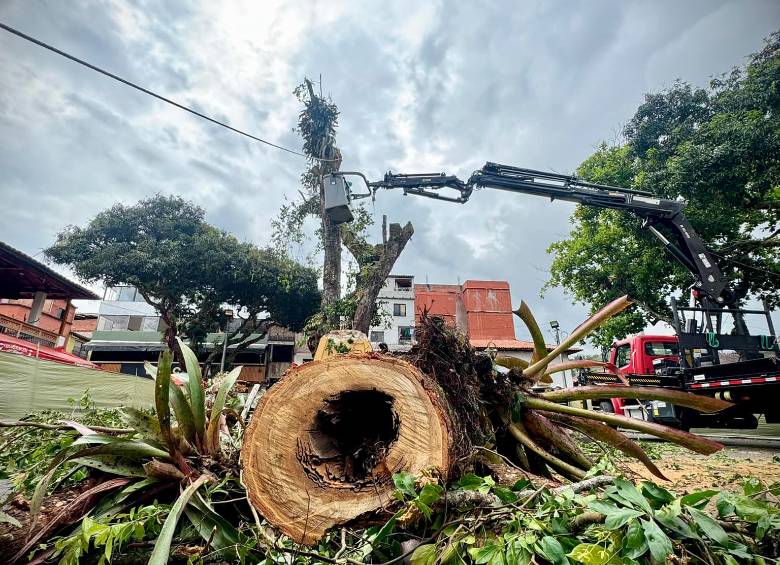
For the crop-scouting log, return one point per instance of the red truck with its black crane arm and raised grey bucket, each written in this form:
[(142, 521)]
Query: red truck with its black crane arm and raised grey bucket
[(713, 324)]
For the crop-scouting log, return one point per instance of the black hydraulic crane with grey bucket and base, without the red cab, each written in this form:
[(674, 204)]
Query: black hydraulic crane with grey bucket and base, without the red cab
[(666, 220)]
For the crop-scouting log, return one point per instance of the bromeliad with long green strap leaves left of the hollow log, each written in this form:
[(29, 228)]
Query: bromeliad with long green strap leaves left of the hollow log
[(179, 448)]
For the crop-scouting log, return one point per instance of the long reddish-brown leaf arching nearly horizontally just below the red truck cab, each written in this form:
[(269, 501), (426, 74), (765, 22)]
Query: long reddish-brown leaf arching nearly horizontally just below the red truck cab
[(706, 404)]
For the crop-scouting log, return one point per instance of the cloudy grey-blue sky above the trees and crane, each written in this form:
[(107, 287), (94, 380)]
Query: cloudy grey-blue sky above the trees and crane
[(422, 87)]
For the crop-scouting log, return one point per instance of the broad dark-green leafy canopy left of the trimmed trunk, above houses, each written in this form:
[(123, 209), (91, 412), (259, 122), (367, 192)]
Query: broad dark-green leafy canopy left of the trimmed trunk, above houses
[(188, 270)]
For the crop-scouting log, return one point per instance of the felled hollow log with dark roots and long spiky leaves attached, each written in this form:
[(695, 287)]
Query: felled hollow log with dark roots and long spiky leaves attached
[(324, 443)]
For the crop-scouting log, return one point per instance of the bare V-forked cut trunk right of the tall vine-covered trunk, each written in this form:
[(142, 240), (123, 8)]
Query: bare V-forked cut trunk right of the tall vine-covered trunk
[(375, 262)]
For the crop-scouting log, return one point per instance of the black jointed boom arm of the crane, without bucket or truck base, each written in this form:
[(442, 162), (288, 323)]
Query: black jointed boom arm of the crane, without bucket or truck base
[(689, 249)]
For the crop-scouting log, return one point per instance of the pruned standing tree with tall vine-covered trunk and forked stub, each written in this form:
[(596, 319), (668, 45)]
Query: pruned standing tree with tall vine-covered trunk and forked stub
[(317, 125)]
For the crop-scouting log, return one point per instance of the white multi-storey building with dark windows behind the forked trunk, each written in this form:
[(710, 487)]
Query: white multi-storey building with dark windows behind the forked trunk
[(396, 307)]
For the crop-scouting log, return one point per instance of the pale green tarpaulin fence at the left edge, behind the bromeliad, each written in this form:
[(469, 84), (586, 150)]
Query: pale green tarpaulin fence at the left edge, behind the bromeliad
[(30, 385)]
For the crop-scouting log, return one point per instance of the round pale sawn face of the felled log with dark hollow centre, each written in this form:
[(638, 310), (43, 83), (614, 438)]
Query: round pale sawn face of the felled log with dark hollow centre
[(324, 442)]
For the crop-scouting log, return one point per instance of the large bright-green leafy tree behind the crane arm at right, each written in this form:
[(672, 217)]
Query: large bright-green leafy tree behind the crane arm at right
[(718, 148)]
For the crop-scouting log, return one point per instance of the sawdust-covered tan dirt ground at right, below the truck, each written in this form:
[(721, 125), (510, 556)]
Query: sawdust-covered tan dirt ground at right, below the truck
[(725, 470)]
